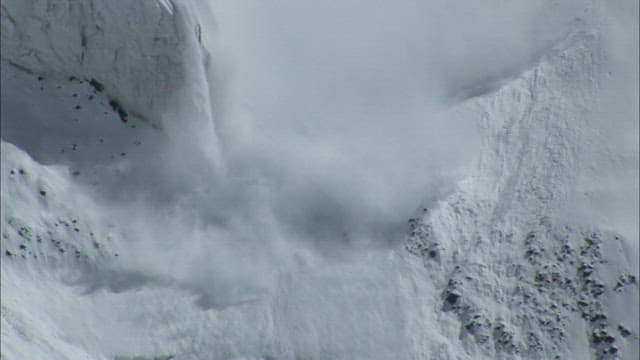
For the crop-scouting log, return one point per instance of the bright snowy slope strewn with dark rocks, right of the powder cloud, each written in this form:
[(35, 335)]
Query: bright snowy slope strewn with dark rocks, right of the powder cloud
[(523, 278)]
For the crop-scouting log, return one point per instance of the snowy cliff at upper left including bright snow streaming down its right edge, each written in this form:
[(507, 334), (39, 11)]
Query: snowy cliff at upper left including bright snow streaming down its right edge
[(148, 56)]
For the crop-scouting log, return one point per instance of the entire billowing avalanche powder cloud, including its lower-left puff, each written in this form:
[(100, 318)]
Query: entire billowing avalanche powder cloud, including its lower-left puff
[(336, 122)]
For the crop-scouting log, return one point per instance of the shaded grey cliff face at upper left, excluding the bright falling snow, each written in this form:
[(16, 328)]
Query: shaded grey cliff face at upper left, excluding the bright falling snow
[(135, 50)]
